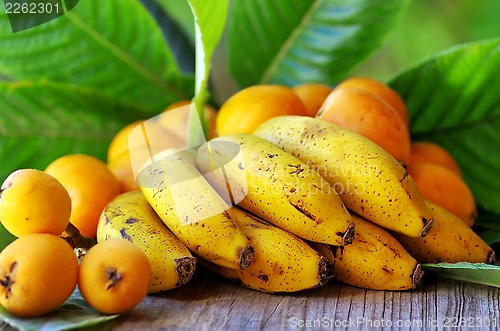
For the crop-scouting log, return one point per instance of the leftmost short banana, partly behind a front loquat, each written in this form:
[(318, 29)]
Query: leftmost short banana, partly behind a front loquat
[(129, 216)]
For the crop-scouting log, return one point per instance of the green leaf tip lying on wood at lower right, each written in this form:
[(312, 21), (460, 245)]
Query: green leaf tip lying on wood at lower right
[(480, 273)]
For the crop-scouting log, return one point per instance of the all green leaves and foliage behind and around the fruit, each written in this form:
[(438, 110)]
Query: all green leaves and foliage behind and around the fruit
[(69, 85)]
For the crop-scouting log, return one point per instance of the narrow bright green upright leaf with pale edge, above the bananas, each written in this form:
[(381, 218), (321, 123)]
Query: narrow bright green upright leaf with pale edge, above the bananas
[(210, 19)]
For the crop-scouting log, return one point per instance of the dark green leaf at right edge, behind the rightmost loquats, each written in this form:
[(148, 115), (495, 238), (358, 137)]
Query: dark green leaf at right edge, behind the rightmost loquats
[(452, 99)]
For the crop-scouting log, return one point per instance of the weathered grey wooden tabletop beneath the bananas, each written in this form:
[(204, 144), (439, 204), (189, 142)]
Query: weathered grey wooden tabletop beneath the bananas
[(212, 303)]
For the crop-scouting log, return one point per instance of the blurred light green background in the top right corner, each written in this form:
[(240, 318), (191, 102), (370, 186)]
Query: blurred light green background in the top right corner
[(429, 26)]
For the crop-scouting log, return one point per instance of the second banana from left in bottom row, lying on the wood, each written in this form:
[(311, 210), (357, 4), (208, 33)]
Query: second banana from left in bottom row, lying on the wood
[(282, 261)]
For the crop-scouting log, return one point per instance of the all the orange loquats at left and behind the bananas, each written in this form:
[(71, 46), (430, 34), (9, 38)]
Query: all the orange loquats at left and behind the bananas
[(56, 211)]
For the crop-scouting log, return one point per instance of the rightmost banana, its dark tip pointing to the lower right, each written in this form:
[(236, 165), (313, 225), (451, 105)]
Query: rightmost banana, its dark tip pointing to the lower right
[(449, 240)]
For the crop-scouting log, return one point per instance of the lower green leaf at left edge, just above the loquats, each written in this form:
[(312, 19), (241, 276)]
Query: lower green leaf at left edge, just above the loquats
[(42, 121)]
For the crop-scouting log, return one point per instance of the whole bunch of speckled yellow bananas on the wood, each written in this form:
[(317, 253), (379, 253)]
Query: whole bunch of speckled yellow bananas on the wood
[(297, 203)]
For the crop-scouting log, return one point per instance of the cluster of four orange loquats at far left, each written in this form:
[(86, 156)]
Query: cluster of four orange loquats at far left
[(47, 210)]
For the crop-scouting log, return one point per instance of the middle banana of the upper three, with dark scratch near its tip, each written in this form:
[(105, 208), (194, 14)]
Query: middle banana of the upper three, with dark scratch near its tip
[(275, 185)]
